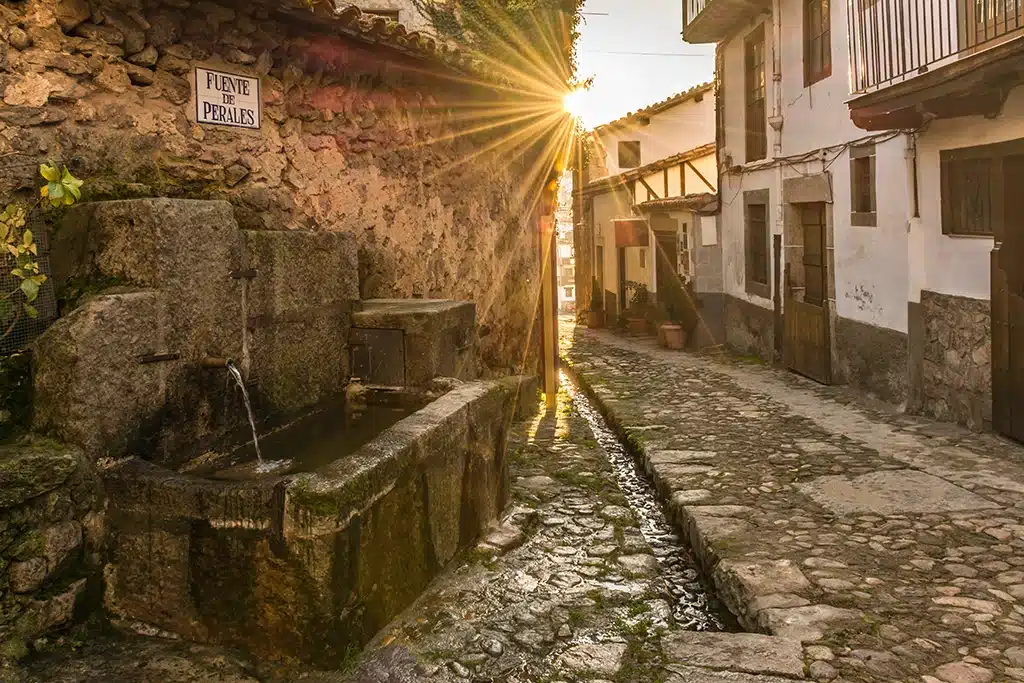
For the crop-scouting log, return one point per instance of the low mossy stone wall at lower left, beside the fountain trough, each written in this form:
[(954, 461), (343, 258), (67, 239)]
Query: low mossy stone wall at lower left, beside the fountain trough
[(52, 529)]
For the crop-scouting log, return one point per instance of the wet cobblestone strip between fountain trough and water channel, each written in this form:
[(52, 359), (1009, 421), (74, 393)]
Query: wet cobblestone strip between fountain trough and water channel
[(568, 589)]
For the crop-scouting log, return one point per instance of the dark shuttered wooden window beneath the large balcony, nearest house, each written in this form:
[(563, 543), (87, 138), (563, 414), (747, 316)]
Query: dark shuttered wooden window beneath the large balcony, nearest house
[(967, 196)]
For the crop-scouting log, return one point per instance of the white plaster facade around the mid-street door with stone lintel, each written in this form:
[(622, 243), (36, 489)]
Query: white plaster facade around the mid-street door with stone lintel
[(872, 264)]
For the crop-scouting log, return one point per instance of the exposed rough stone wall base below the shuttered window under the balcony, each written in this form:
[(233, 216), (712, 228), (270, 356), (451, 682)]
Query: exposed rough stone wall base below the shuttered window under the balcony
[(957, 360)]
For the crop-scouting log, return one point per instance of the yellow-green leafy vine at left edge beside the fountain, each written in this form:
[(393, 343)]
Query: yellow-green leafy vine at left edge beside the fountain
[(61, 189)]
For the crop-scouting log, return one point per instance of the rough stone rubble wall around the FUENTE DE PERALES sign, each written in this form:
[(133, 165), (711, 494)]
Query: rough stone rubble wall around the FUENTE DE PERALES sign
[(356, 139)]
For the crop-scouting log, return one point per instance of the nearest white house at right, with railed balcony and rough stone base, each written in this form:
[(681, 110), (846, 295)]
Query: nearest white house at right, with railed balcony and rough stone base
[(952, 71)]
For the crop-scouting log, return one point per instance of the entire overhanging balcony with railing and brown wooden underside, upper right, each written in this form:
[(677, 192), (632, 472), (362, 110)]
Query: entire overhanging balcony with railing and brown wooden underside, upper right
[(916, 60)]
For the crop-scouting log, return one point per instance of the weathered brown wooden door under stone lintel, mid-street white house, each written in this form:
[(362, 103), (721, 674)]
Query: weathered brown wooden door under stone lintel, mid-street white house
[(807, 348)]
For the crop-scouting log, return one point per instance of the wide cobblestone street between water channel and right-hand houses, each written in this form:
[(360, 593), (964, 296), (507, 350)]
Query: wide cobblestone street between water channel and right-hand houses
[(892, 547)]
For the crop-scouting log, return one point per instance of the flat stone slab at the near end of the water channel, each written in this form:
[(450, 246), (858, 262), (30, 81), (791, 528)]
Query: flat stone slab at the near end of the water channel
[(747, 653)]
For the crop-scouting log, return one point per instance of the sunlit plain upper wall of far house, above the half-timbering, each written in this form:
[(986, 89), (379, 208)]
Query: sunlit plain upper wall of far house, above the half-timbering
[(681, 129)]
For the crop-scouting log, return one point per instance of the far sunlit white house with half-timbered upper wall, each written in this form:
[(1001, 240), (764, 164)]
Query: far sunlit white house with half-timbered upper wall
[(652, 177)]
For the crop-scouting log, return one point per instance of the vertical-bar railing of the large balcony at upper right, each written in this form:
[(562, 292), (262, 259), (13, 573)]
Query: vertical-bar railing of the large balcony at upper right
[(894, 40)]
